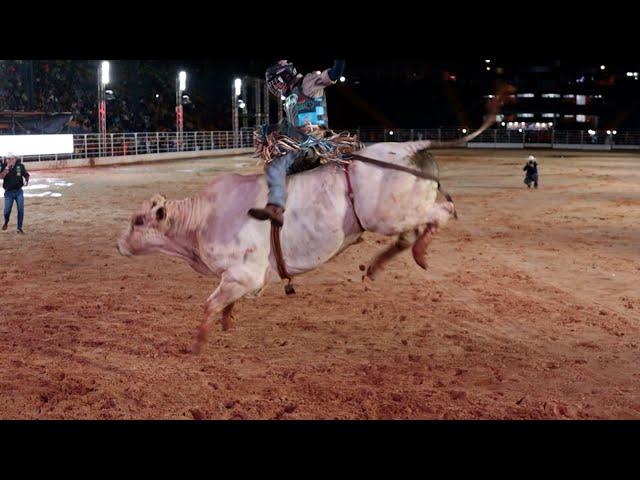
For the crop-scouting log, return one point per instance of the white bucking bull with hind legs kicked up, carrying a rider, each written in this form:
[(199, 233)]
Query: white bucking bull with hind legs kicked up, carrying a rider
[(214, 234)]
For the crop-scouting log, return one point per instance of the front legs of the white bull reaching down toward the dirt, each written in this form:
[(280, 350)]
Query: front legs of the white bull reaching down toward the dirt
[(233, 286)]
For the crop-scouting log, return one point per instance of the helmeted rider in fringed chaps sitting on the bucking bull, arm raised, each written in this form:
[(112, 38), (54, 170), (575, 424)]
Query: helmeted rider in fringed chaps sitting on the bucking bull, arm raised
[(302, 140)]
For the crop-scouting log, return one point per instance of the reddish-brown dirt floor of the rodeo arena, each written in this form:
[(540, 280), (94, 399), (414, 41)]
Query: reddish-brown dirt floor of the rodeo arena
[(530, 308)]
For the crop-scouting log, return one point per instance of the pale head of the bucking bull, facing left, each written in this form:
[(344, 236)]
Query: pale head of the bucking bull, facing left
[(147, 229)]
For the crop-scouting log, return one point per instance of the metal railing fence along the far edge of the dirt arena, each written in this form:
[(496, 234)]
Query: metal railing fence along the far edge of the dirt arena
[(118, 144)]
